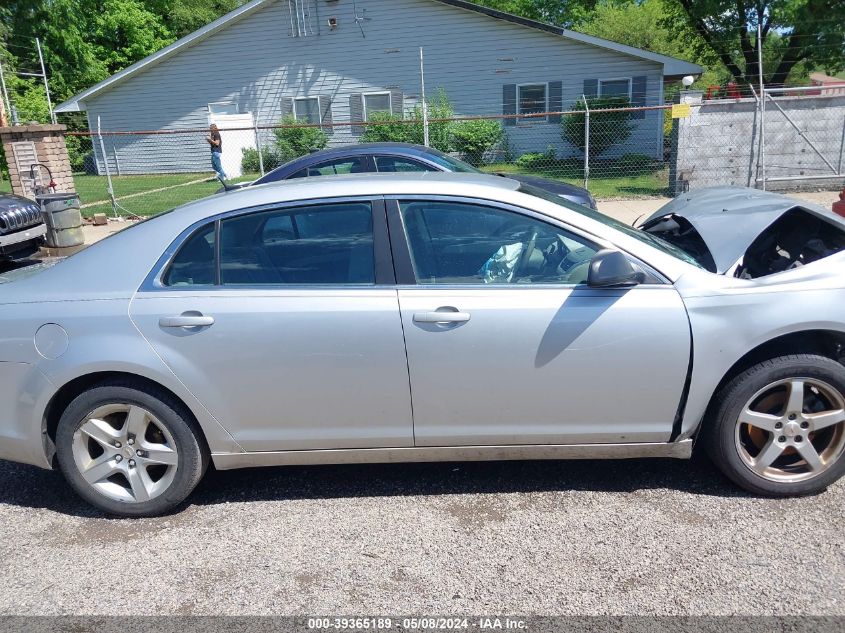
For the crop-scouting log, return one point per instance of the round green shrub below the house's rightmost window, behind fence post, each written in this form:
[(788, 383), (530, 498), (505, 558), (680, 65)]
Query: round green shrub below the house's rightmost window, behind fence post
[(606, 128)]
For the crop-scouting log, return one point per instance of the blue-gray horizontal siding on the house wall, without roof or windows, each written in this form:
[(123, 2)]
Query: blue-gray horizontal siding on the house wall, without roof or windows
[(255, 62)]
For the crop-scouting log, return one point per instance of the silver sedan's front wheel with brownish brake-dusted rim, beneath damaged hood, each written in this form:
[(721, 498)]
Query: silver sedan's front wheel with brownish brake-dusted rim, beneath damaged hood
[(792, 452)]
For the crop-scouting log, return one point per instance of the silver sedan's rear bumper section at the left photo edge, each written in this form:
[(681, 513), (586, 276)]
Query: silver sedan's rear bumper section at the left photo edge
[(23, 390)]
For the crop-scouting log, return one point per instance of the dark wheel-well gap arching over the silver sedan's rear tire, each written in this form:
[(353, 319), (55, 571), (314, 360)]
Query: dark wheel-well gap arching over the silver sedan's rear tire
[(64, 396)]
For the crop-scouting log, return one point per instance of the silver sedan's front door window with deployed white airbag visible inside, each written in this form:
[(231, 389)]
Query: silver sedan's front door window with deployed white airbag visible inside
[(461, 243)]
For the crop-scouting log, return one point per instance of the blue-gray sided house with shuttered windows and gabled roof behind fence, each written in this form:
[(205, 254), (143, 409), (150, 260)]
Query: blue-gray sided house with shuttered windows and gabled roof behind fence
[(337, 61)]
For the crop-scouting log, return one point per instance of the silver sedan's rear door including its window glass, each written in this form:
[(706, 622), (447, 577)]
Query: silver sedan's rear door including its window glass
[(284, 322)]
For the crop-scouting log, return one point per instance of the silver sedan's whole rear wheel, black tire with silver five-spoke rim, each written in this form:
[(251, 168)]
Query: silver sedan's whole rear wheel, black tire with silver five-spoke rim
[(131, 451)]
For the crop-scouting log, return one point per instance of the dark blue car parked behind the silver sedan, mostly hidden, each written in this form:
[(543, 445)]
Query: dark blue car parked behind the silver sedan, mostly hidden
[(402, 157)]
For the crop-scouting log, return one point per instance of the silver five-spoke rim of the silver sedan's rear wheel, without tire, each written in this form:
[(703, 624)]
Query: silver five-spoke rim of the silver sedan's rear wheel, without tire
[(125, 453)]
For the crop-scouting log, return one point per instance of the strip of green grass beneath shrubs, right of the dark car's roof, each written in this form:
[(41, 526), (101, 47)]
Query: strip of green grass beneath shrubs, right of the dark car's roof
[(649, 183)]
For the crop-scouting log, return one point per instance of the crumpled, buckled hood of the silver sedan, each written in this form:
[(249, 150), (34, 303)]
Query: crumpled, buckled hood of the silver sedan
[(764, 232)]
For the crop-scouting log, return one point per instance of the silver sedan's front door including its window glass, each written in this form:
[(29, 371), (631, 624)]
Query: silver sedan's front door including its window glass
[(506, 343)]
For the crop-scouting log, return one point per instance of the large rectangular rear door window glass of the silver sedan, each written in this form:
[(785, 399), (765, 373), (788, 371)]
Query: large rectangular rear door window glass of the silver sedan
[(321, 244)]
